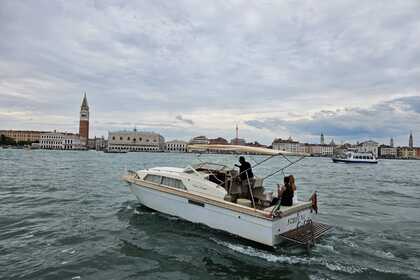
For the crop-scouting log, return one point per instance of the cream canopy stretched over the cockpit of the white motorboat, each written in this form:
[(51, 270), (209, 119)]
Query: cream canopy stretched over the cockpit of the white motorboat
[(241, 150)]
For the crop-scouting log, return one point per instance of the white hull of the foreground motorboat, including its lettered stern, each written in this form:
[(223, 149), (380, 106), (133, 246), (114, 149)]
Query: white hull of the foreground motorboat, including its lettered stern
[(258, 229)]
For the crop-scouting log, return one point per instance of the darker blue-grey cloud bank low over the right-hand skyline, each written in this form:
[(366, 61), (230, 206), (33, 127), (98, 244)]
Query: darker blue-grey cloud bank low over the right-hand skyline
[(383, 120)]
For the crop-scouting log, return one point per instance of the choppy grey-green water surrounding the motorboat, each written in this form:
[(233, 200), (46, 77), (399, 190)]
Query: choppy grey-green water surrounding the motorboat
[(68, 215)]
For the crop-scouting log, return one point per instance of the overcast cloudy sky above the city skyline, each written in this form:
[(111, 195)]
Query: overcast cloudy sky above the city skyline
[(278, 69)]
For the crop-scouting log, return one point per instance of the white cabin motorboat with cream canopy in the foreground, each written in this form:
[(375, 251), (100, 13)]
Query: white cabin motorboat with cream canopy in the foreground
[(203, 193)]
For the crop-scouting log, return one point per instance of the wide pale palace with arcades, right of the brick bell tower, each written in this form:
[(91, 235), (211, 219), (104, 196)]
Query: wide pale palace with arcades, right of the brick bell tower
[(135, 141)]
